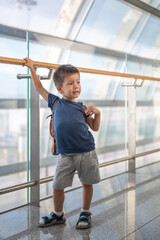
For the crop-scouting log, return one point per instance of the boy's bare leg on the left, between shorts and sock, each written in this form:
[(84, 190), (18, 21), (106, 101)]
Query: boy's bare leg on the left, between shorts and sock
[(58, 200)]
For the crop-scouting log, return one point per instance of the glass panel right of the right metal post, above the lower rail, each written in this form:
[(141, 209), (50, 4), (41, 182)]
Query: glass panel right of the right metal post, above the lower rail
[(147, 113)]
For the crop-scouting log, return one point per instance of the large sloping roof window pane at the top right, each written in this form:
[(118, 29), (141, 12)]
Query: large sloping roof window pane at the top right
[(129, 30)]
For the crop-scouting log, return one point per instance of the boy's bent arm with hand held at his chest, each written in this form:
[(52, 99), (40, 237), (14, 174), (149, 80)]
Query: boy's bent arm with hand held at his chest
[(93, 122)]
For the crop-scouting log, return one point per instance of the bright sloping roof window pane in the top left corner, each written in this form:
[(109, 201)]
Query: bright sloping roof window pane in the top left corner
[(29, 14)]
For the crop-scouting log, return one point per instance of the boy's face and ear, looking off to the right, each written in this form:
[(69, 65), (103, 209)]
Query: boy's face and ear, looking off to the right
[(71, 87)]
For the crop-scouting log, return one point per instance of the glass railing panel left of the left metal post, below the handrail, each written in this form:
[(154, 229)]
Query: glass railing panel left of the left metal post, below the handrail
[(13, 134)]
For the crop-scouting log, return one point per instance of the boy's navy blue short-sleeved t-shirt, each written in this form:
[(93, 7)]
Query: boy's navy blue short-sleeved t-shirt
[(71, 131)]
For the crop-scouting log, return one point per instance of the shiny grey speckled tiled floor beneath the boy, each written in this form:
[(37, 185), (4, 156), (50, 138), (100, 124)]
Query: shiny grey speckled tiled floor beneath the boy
[(126, 206)]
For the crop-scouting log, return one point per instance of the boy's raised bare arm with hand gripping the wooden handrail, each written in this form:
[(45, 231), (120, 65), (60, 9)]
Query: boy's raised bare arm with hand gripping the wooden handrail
[(36, 82)]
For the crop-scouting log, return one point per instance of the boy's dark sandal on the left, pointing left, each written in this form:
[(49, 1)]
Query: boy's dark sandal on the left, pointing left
[(52, 219)]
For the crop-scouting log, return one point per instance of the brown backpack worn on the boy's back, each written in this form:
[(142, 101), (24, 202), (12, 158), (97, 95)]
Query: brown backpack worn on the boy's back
[(51, 129)]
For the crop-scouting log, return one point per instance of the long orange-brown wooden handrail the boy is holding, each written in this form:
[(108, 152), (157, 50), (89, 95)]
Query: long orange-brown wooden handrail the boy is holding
[(86, 70)]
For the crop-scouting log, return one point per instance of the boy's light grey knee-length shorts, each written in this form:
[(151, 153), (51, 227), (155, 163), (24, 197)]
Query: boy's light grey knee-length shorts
[(86, 165)]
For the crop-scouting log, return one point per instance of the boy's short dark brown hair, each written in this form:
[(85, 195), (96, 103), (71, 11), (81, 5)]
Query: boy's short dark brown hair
[(62, 72)]
